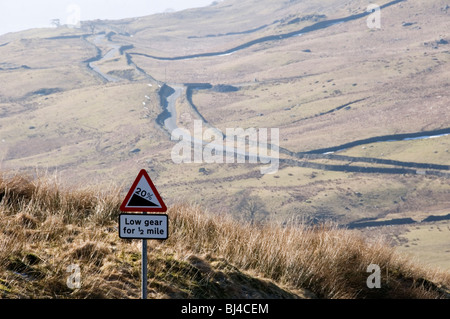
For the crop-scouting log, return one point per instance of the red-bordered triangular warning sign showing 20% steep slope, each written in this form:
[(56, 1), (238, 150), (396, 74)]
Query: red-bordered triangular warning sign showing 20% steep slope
[(143, 196)]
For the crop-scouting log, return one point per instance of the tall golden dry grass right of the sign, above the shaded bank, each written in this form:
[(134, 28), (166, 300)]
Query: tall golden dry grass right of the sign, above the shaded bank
[(329, 261)]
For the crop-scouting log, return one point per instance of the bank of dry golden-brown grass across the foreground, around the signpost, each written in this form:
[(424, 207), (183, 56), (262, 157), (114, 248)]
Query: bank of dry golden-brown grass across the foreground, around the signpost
[(45, 229)]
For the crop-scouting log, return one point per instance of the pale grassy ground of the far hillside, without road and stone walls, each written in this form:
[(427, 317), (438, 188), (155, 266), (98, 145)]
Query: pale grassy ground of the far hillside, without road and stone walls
[(86, 131)]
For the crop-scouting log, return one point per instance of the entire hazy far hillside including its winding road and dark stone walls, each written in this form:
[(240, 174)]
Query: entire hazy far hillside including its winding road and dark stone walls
[(363, 114)]
